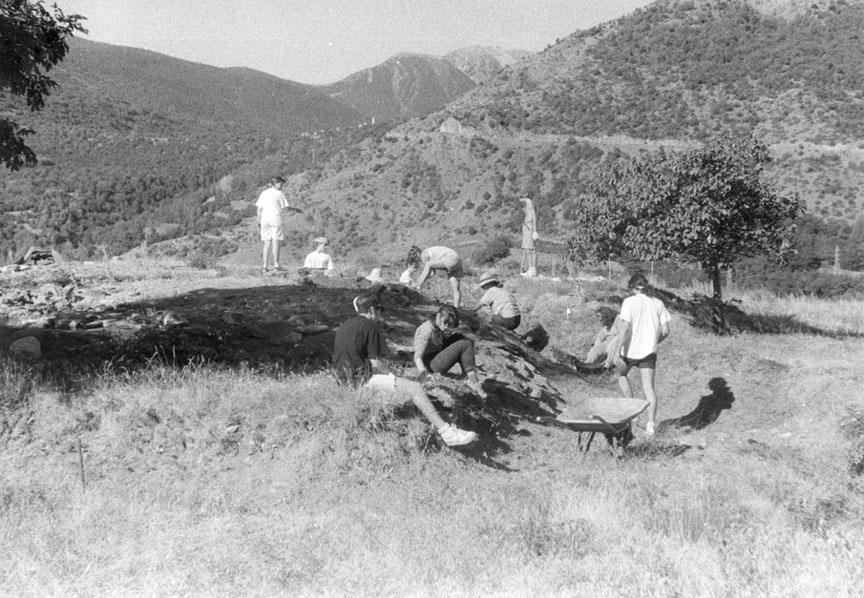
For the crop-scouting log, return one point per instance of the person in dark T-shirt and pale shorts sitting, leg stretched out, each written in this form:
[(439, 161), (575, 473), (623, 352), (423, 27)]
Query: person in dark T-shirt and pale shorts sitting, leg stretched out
[(360, 355)]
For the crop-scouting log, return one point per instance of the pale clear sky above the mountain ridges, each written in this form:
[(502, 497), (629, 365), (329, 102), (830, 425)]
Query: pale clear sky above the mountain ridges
[(323, 41)]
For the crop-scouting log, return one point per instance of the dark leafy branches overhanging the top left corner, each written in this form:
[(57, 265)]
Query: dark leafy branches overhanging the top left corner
[(32, 41)]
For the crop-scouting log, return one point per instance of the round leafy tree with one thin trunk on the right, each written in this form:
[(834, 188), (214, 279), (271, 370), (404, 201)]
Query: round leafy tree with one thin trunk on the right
[(710, 206)]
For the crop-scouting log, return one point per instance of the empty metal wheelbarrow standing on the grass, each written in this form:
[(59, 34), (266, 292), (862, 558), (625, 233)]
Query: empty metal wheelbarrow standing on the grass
[(609, 416)]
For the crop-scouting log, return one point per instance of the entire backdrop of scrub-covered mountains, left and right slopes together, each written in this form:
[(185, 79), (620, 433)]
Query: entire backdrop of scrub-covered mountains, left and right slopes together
[(136, 141)]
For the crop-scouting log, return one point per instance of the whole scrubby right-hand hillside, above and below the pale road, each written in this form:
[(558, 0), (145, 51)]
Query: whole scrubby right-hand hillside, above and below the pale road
[(671, 75)]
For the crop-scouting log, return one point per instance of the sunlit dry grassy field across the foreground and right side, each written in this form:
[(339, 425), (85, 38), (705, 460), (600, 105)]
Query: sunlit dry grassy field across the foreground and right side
[(213, 481)]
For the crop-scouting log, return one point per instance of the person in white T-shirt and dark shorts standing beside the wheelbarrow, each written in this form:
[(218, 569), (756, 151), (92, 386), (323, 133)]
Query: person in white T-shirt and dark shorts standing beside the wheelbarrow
[(642, 325)]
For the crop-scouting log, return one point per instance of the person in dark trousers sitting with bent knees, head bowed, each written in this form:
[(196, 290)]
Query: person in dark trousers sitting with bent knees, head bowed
[(435, 351)]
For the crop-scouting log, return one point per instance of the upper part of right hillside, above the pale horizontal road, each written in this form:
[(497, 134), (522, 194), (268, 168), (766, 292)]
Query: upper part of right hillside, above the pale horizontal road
[(689, 69)]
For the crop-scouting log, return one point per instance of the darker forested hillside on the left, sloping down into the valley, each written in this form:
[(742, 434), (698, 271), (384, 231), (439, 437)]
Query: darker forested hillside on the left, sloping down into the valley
[(133, 144)]
